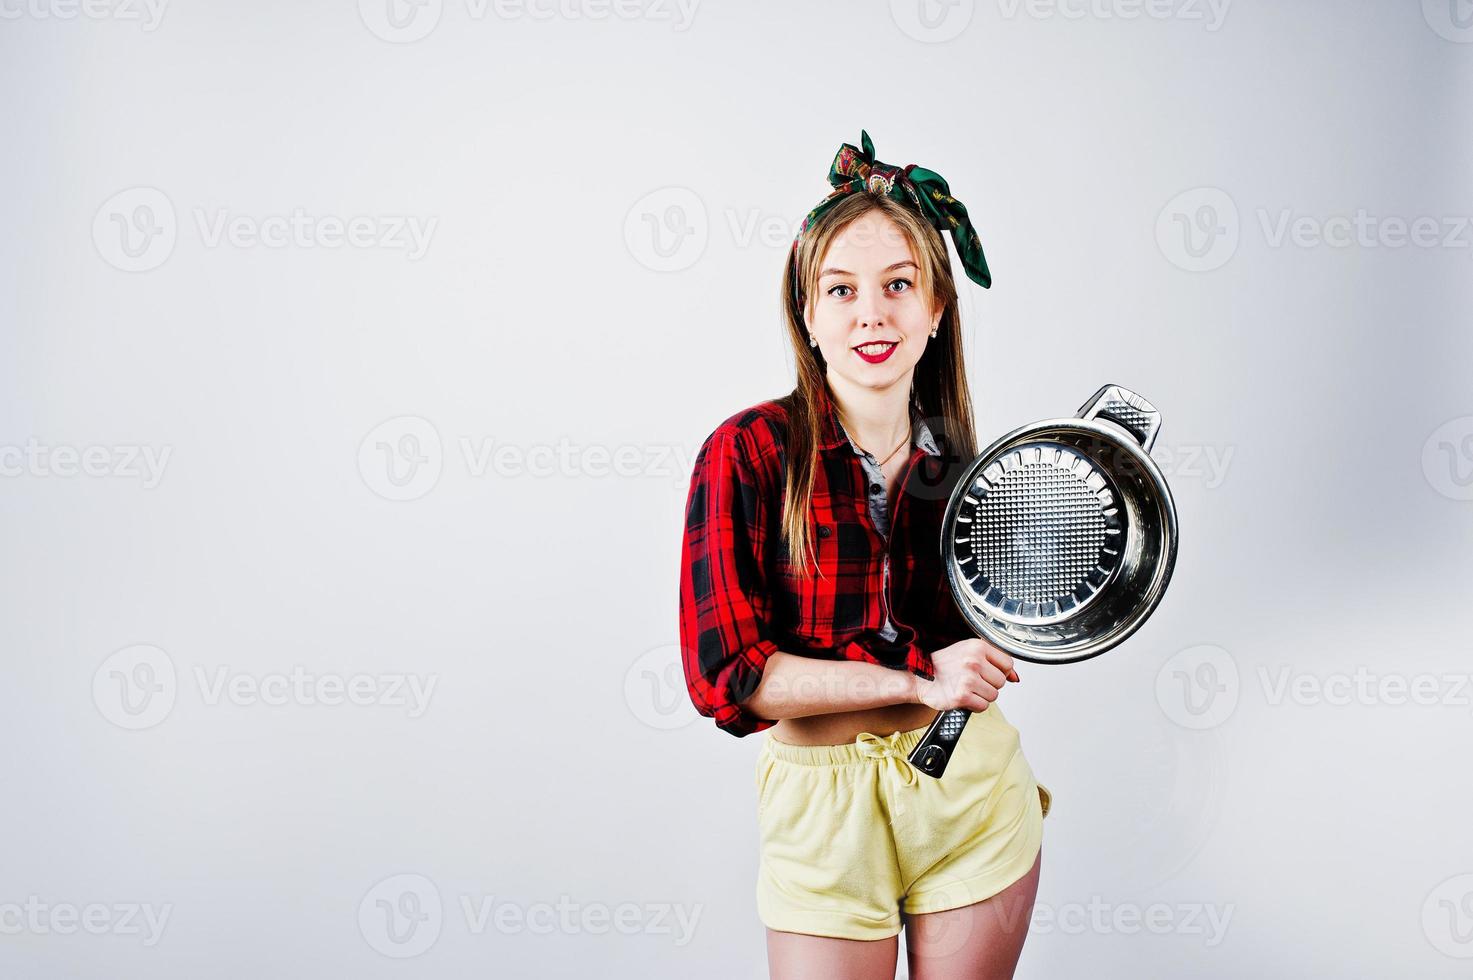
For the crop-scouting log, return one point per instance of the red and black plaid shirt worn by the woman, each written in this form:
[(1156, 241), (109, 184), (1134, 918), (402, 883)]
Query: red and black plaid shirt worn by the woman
[(742, 599)]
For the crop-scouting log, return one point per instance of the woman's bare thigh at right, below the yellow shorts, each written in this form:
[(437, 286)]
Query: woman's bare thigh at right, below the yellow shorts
[(976, 942)]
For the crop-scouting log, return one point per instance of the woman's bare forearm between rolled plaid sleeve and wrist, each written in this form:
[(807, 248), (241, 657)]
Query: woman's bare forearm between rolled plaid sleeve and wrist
[(793, 687)]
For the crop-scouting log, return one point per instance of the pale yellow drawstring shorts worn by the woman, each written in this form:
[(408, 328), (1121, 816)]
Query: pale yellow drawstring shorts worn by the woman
[(854, 835)]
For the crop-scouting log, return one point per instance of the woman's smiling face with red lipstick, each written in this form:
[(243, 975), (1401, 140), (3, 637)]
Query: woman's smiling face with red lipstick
[(870, 319)]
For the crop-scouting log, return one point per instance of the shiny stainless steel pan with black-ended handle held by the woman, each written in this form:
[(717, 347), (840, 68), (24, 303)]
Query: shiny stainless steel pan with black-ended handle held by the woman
[(1058, 542)]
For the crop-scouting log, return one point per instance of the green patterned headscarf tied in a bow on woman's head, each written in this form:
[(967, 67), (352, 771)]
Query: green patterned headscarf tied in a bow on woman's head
[(926, 191)]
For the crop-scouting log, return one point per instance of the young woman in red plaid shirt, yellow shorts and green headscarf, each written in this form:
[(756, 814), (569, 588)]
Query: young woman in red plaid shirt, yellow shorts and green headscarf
[(814, 603)]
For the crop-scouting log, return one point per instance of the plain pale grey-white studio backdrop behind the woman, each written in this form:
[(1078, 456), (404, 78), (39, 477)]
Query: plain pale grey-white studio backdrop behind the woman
[(393, 463)]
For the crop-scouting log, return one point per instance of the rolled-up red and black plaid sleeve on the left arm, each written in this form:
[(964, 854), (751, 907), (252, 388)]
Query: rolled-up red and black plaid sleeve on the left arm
[(725, 603)]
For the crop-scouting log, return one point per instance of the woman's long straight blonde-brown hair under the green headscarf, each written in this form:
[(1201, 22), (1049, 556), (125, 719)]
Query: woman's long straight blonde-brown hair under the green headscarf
[(941, 375)]
